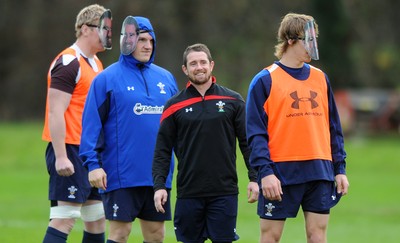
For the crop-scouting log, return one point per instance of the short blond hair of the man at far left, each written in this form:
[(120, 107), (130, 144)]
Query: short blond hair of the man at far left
[(88, 15)]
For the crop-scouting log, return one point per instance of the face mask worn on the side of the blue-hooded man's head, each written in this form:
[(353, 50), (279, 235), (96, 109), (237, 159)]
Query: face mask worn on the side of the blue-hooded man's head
[(129, 35)]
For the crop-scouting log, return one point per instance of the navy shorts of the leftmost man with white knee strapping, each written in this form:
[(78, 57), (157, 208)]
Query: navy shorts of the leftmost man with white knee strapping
[(75, 188)]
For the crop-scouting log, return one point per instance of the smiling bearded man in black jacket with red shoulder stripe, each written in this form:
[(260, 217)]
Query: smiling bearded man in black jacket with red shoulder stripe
[(201, 124)]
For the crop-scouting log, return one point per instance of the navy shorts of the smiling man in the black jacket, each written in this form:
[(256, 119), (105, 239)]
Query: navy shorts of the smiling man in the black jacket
[(198, 219)]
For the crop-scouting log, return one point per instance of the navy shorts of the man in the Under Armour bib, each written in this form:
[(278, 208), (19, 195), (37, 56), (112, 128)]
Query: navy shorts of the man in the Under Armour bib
[(315, 196)]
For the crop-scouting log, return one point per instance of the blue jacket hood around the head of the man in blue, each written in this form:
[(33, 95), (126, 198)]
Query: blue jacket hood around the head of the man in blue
[(144, 26)]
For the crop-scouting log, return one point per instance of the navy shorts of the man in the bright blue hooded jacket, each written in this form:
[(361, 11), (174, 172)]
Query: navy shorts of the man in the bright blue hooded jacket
[(127, 204)]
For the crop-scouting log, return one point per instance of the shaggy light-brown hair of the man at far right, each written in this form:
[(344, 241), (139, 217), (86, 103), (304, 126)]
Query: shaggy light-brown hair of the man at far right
[(291, 28)]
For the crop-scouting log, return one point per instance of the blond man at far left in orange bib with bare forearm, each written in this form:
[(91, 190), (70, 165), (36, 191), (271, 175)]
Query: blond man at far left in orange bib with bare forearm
[(69, 79)]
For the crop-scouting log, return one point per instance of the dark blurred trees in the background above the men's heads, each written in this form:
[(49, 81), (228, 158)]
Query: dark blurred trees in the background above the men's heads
[(358, 44)]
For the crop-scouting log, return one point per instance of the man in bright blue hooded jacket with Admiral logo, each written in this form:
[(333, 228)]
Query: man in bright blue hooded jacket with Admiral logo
[(120, 124)]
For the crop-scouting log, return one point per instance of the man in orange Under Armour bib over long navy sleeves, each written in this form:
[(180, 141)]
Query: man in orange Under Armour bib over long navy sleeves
[(294, 131)]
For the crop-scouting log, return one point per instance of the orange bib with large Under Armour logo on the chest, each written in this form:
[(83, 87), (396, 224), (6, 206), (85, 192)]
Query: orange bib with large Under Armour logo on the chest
[(298, 116)]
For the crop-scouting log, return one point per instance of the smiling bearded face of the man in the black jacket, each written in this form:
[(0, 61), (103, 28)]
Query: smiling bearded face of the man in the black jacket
[(198, 68)]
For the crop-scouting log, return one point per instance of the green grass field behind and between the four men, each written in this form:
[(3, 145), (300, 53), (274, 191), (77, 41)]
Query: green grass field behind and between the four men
[(370, 213)]
